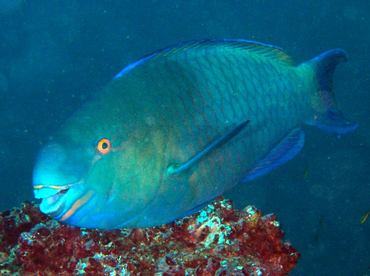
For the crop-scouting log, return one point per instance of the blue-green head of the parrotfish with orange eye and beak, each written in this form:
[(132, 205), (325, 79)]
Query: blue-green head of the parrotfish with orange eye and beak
[(100, 176)]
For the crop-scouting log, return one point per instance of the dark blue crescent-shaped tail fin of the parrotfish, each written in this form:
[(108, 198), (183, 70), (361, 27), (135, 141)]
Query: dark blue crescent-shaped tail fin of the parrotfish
[(328, 117)]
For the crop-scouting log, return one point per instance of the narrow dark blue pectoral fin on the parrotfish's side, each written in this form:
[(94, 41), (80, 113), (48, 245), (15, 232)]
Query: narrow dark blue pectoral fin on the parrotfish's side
[(177, 168)]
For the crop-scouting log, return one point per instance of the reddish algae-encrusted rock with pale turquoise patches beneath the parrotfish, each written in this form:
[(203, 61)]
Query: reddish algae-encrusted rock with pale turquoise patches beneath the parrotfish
[(217, 240)]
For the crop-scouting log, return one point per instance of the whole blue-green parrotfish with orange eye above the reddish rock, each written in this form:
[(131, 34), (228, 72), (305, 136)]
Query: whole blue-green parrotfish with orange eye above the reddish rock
[(179, 127)]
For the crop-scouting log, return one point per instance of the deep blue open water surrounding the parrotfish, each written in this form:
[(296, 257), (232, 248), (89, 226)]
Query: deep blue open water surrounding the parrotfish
[(55, 54)]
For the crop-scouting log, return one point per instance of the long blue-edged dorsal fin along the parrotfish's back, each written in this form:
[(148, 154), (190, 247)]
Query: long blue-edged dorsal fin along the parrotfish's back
[(260, 49)]
